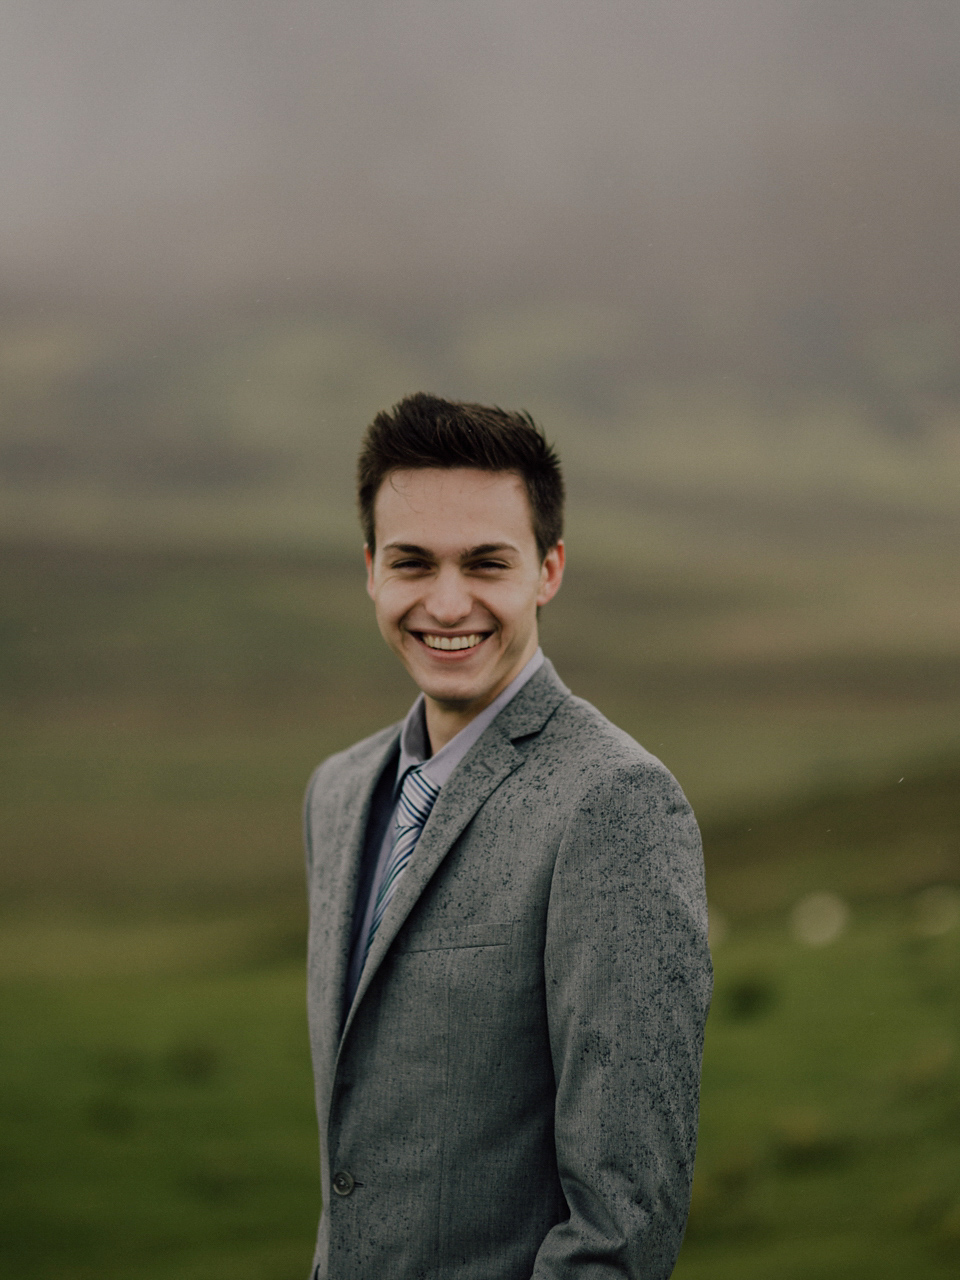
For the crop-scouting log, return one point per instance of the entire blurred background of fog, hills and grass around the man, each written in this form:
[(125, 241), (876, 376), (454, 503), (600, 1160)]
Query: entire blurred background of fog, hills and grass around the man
[(714, 249)]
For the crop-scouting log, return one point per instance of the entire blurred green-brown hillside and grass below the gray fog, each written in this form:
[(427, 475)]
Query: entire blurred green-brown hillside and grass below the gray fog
[(762, 589)]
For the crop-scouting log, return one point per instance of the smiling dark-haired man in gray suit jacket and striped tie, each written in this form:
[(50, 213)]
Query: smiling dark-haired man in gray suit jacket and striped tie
[(508, 970)]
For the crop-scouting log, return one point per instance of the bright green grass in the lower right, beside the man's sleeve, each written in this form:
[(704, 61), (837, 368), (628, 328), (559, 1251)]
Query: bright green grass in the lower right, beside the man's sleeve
[(830, 1117)]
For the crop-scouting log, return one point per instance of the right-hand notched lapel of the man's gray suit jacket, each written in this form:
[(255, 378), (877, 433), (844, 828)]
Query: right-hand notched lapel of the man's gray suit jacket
[(492, 760)]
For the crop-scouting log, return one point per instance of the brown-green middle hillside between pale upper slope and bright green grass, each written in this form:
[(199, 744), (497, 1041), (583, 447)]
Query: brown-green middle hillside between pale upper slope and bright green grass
[(164, 708)]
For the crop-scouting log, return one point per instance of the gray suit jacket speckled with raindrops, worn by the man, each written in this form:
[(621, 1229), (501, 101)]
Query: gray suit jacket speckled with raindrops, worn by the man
[(514, 1092)]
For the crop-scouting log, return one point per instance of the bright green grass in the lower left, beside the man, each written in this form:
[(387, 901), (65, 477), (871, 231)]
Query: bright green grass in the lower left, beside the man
[(158, 1127)]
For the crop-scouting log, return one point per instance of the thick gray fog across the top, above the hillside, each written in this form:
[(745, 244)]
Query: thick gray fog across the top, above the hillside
[(744, 176)]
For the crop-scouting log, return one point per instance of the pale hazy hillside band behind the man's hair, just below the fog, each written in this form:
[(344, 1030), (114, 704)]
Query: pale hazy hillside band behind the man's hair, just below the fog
[(245, 431)]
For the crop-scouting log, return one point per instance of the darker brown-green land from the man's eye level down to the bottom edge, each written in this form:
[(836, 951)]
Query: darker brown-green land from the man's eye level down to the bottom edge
[(162, 715)]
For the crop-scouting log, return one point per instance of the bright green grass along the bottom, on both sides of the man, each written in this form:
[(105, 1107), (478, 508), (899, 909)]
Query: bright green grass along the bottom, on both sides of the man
[(158, 1110)]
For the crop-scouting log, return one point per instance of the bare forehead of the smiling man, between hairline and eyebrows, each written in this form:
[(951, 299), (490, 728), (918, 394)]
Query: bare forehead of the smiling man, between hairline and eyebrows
[(452, 508)]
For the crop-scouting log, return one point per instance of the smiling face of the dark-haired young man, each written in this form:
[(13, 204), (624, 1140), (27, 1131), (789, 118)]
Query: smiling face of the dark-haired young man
[(458, 579)]
